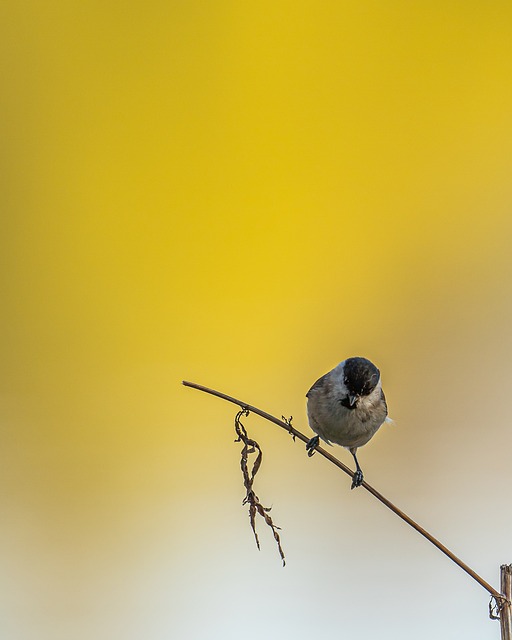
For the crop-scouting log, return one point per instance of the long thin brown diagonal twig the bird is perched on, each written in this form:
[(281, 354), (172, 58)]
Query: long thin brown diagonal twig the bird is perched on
[(297, 434)]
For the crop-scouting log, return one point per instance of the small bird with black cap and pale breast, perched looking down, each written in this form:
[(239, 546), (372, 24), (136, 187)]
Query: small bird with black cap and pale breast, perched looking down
[(347, 406)]
